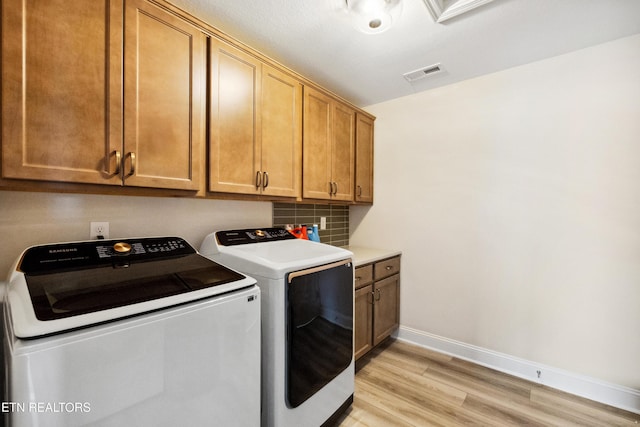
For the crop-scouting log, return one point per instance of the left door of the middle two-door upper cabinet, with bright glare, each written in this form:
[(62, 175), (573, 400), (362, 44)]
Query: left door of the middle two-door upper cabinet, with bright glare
[(234, 147)]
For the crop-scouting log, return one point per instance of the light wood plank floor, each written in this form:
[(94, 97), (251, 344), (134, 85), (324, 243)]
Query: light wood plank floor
[(399, 384)]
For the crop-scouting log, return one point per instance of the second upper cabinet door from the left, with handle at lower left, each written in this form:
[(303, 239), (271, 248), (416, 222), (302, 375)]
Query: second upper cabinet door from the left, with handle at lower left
[(164, 98)]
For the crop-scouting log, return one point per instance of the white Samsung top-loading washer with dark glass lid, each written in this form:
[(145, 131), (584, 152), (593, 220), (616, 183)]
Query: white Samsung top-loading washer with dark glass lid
[(142, 332)]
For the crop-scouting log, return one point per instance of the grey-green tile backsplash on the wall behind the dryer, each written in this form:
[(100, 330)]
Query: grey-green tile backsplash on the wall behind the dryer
[(337, 232)]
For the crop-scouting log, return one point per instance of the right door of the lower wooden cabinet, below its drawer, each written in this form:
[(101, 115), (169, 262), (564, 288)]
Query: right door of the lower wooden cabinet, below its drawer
[(386, 307)]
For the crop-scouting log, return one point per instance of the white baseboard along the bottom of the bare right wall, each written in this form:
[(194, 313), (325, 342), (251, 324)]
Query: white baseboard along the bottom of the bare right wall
[(579, 385)]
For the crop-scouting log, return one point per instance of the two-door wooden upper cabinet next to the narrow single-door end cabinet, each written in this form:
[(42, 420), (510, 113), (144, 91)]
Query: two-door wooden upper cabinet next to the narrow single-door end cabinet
[(328, 149)]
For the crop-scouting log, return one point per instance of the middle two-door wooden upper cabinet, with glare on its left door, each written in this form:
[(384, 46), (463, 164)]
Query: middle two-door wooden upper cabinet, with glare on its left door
[(255, 125)]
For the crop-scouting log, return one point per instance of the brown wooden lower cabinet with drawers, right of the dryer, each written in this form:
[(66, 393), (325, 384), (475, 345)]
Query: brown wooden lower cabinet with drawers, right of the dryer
[(377, 303)]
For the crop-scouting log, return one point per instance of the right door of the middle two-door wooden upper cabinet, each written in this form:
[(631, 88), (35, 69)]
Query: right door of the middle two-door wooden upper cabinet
[(281, 116)]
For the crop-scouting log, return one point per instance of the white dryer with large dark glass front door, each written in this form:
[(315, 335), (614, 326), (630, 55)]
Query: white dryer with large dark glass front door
[(307, 321)]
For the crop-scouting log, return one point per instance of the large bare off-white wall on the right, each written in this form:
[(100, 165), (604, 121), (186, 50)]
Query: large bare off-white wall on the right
[(515, 198)]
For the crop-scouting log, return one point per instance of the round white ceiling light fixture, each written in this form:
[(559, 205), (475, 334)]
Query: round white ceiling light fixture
[(373, 16)]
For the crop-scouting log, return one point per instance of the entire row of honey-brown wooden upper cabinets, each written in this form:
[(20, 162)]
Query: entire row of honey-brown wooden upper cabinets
[(115, 92)]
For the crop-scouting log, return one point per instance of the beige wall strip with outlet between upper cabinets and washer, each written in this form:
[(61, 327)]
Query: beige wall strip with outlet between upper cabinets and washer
[(34, 218)]
